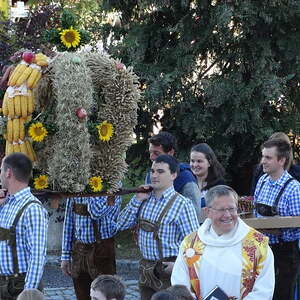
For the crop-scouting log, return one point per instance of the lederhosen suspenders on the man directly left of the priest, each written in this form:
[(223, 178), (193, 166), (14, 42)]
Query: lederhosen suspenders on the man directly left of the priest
[(154, 227)]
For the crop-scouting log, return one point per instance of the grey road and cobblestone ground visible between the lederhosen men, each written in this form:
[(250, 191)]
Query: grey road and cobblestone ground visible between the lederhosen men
[(59, 287)]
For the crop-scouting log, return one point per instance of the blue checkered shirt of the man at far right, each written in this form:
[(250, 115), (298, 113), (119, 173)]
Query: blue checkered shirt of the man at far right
[(288, 205)]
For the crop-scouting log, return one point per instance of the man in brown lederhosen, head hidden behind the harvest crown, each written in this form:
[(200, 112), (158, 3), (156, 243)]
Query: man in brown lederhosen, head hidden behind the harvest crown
[(88, 241)]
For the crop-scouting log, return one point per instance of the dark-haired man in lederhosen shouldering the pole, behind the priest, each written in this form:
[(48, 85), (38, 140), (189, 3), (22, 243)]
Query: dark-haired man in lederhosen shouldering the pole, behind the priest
[(163, 218)]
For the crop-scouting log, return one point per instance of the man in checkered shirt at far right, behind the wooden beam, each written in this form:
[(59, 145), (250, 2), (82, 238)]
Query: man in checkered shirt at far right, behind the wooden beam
[(277, 189)]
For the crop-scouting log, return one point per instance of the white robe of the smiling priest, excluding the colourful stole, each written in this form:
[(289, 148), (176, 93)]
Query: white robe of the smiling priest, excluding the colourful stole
[(221, 264)]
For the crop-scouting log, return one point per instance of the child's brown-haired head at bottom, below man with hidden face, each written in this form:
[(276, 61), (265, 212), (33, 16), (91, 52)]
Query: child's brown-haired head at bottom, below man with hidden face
[(107, 287)]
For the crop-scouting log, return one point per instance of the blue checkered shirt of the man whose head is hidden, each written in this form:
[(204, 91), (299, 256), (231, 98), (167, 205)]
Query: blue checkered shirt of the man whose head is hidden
[(77, 227)]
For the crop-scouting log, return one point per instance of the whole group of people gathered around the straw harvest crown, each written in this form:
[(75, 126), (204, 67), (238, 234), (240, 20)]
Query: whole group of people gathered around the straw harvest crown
[(192, 242)]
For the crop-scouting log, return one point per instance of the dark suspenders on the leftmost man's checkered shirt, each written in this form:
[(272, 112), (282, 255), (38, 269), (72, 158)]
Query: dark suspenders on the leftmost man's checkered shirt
[(10, 235)]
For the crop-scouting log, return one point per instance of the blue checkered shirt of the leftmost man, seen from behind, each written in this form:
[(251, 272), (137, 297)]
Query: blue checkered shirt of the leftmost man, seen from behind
[(31, 237)]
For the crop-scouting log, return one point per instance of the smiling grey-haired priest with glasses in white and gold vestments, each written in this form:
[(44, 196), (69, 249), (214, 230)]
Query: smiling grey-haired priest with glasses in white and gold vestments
[(225, 256)]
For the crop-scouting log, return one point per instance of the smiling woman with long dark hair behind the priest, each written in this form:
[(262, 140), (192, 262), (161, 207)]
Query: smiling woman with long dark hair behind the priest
[(207, 169)]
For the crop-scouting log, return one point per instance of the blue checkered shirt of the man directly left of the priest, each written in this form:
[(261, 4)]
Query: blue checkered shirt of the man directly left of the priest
[(179, 221)]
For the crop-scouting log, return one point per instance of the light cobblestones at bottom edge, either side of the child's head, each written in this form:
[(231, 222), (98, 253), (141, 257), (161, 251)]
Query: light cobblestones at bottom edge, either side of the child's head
[(67, 293)]
